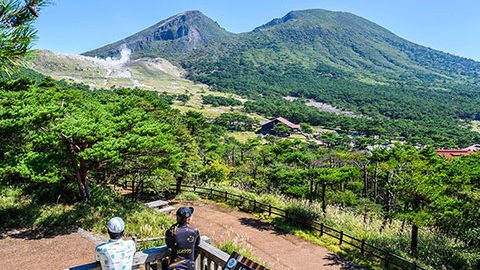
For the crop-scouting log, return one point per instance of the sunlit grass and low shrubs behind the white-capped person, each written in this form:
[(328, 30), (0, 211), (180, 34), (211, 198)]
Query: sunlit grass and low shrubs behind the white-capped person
[(19, 210)]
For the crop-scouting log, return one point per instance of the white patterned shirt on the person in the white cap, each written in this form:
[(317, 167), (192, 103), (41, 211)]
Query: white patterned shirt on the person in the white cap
[(115, 254)]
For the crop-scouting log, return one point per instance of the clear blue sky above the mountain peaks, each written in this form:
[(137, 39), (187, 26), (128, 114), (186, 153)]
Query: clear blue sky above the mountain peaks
[(75, 26)]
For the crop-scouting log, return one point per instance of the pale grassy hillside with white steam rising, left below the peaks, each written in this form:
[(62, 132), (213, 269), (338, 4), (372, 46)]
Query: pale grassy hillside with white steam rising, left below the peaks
[(152, 74)]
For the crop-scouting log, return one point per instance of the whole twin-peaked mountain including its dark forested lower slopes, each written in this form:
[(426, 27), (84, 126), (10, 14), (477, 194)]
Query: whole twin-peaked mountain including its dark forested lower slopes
[(332, 57)]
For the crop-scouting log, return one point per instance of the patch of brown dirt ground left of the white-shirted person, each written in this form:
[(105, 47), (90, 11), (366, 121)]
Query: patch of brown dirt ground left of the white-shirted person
[(43, 249)]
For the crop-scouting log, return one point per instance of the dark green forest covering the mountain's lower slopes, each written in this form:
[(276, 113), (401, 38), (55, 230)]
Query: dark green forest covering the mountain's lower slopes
[(406, 112)]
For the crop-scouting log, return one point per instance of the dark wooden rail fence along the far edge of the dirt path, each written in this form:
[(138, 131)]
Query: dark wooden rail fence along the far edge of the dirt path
[(389, 259)]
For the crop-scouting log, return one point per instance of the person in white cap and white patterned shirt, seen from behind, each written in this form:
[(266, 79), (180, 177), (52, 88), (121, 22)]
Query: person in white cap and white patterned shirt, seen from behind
[(116, 254)]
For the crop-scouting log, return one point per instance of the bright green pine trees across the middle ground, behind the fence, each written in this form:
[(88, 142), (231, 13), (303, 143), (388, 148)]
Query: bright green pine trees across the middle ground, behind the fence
[(68, 139)]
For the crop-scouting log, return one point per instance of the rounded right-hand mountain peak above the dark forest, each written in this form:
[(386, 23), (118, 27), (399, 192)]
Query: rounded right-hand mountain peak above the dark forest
[(350, 42)]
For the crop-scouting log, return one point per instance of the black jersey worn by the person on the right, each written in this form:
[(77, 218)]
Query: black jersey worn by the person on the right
[(183, 241)]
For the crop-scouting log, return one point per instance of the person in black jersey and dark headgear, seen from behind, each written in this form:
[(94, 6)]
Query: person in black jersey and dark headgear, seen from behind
[(183, 240)]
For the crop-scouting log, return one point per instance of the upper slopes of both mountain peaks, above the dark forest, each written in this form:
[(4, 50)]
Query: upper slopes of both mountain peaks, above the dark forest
[(317, 39)]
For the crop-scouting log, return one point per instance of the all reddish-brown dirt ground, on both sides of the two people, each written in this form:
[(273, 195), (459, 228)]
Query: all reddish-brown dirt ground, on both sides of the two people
[(47, 249)]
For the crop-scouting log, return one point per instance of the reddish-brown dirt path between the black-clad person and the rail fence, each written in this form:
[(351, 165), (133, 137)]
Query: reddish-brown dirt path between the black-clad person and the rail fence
[(278, 250)]
